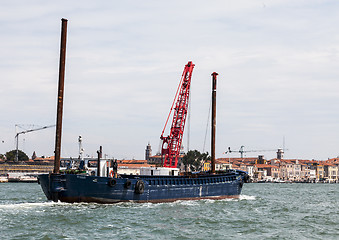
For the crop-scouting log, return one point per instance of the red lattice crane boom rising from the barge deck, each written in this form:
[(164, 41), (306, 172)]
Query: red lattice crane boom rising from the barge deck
[(171, 144)]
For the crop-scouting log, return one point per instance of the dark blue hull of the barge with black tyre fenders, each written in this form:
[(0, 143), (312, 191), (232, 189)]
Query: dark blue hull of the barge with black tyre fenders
[(134, 188)]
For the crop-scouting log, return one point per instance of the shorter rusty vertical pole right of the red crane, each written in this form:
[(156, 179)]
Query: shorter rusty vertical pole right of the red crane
[(214, 121)]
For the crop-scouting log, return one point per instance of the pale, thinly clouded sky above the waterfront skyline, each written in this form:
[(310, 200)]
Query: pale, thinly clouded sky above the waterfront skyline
[(277, 60)]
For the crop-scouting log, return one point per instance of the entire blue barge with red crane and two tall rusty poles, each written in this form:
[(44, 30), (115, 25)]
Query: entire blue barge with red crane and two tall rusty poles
[(104, 185)]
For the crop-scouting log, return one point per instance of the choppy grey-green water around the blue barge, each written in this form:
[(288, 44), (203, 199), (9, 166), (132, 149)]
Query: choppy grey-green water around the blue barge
[(264, 211)]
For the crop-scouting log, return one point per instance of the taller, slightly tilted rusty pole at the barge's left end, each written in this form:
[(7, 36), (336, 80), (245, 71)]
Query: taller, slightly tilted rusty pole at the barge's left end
[(60, 96)]
